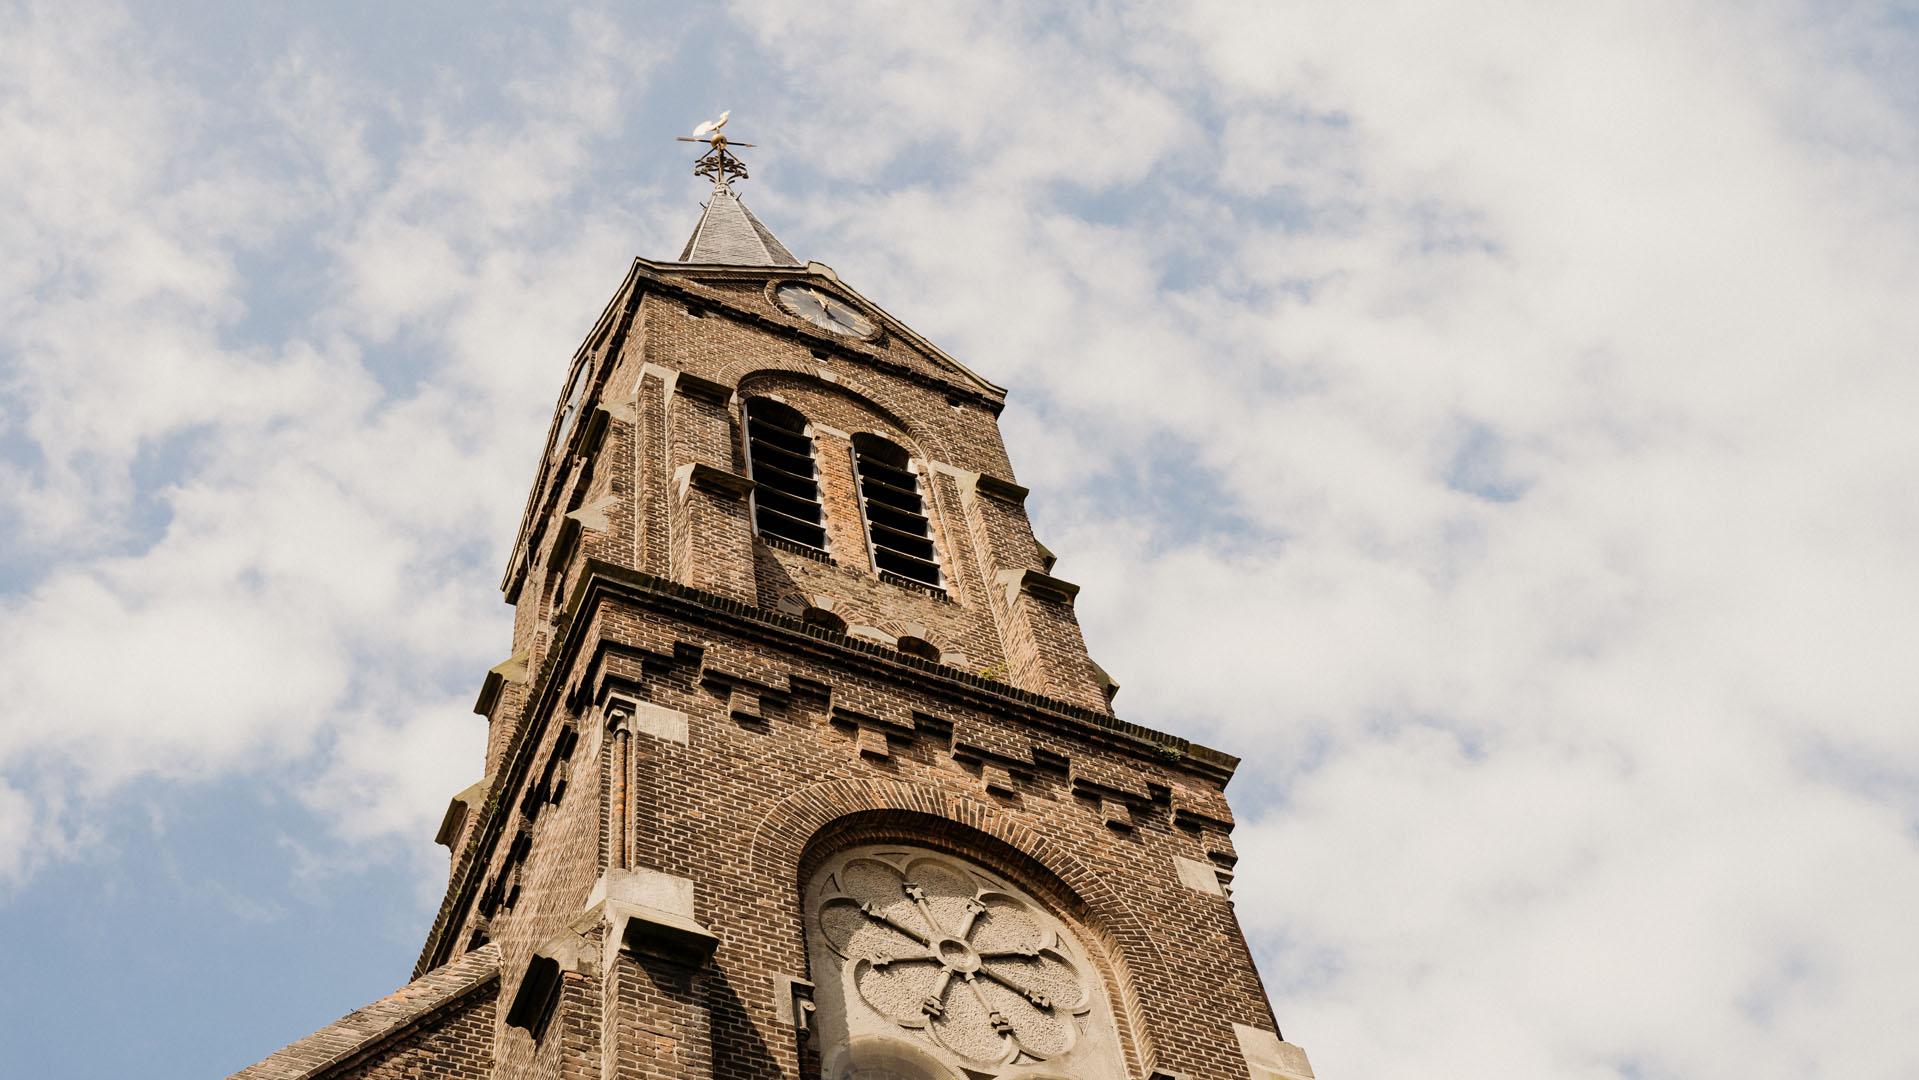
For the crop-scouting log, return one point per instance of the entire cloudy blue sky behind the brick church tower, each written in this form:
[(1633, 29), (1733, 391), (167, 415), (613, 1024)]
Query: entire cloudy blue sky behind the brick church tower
[(1494, 423)]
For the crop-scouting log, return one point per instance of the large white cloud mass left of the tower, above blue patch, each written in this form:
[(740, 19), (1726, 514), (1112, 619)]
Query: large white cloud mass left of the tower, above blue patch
[(316, 567)]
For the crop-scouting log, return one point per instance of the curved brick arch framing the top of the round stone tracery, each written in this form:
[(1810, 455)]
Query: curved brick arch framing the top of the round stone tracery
[(818, 820)]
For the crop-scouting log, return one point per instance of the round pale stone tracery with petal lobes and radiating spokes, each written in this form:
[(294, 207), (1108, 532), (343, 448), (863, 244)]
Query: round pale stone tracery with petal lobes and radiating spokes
[(943, 951)]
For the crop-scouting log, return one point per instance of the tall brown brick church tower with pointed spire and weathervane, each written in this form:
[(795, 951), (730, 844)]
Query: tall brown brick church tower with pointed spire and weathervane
[(799, 766)]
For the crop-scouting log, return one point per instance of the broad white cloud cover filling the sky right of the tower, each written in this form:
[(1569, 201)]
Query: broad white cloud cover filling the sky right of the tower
[(1559, 784)]
